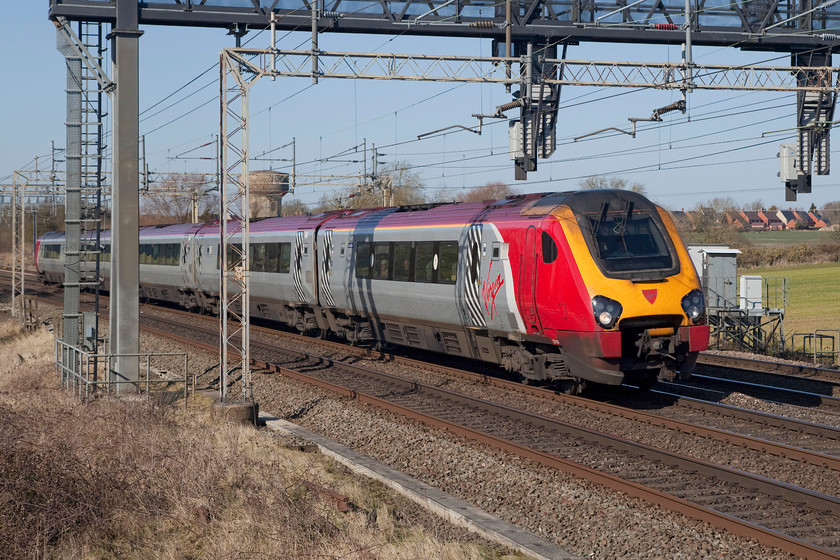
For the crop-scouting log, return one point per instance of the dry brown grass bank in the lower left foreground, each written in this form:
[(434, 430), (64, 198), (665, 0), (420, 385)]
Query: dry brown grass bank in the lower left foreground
[(139, 479)]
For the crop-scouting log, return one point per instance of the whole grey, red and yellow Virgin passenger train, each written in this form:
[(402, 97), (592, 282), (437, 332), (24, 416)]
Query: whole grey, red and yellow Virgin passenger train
[(565, 288)]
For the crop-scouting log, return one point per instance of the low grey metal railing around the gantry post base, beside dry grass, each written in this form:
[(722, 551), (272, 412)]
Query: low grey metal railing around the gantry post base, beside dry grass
[(89, 374)]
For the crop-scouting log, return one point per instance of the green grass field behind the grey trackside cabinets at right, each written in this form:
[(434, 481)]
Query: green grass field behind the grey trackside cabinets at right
[(814, 295)]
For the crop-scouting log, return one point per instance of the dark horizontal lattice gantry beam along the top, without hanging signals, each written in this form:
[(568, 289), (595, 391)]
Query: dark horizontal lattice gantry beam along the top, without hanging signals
[(788, 26)]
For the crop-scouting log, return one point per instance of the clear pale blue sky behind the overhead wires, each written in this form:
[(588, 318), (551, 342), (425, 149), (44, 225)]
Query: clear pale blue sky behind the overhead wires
[(724, 146)]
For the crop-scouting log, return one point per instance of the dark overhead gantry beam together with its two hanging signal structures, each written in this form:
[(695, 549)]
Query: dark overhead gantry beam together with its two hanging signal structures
[(804, 28)]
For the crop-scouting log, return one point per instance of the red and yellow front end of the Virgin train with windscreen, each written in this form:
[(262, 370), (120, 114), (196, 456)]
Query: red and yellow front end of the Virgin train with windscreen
[(604, 291)]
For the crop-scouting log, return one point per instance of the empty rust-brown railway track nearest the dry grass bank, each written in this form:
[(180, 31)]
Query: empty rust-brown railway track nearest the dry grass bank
[(795, 519)]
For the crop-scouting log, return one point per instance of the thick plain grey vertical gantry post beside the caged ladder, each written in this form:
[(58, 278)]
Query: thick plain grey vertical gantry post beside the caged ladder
[(125, 267)]
